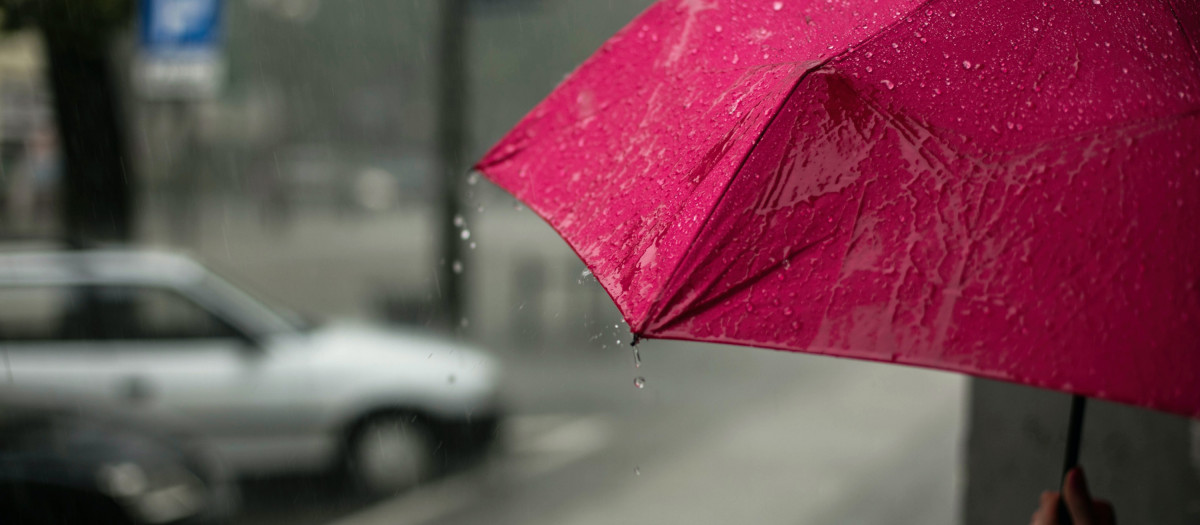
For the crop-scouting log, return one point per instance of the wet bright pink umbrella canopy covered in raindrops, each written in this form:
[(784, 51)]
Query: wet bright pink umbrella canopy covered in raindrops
[(1004, 189)]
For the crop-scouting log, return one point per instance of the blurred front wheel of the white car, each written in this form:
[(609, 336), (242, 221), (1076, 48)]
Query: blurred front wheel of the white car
[(391, 454)]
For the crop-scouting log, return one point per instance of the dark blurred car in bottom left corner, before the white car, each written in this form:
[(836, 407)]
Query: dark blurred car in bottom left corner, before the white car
[(65, 462)]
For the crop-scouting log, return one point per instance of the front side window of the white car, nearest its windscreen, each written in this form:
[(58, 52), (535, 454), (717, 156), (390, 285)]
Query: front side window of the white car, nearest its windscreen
[(155, 313)]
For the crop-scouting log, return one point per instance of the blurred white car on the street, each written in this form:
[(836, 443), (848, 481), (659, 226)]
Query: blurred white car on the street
[(271, 393)]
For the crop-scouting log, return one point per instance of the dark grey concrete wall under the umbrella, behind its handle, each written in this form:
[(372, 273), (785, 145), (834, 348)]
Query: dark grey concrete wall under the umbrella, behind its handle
[(1141, 461)]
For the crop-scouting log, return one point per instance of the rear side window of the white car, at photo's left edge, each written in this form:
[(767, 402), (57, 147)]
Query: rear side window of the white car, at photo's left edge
[(45, 315)]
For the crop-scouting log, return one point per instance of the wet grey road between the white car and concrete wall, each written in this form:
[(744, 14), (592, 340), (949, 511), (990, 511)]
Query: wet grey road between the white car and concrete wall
[(718, 436)]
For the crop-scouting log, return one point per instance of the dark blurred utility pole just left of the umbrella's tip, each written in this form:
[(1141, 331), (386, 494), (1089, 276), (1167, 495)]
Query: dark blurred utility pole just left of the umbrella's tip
[(452, 141)]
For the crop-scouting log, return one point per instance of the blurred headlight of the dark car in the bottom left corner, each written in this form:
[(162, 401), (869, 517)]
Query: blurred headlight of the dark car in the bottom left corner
[(155, 496)]
